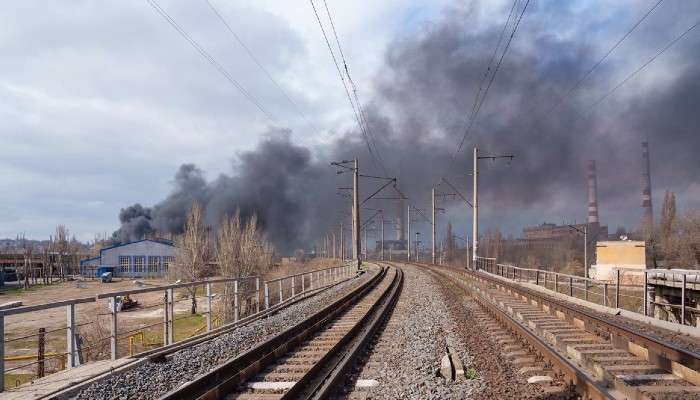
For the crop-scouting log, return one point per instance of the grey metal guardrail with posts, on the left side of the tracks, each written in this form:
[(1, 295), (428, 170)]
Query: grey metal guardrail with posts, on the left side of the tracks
[(246, 295)]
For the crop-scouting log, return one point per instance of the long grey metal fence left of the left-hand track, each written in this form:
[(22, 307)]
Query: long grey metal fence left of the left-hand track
[(242, 297)]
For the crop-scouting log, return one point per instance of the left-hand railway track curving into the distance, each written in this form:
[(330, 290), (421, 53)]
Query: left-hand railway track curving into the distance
[(307, 360)]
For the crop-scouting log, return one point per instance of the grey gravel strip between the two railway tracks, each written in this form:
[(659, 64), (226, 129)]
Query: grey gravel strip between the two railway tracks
[(406, 357)]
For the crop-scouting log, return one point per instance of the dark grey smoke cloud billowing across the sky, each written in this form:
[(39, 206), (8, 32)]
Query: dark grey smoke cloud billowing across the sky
[(421, 99)]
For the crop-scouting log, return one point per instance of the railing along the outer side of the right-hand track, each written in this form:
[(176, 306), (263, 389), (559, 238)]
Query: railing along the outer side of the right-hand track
[(631, 297)]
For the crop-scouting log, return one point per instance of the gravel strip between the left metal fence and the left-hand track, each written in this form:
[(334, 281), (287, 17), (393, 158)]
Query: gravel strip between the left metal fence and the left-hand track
[(151, 380)]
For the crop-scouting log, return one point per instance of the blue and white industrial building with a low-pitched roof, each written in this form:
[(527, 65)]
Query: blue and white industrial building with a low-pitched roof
[(142, 258)]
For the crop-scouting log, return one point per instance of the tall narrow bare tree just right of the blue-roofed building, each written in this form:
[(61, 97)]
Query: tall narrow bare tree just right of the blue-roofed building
[(192, 252)]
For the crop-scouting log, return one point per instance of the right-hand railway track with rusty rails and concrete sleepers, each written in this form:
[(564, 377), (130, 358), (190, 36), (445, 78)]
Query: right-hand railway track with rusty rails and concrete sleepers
[(599, 358)]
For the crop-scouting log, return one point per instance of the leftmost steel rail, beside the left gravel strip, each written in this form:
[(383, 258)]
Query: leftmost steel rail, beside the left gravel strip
[(220, 381)]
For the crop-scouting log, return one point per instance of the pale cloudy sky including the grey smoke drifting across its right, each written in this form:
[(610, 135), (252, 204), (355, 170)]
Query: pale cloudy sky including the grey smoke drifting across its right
[(102, 102)]
